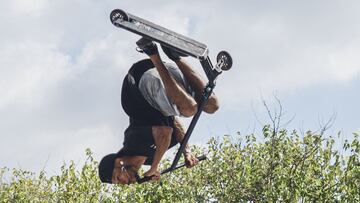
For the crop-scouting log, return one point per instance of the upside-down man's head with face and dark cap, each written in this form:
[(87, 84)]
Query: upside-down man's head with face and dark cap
[(113, 170)]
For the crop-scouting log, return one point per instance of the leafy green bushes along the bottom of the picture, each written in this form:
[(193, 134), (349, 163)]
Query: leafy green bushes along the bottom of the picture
[(282, 167)]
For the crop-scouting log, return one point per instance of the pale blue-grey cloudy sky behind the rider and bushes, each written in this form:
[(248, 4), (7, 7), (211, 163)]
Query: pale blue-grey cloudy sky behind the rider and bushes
[(62, 63)]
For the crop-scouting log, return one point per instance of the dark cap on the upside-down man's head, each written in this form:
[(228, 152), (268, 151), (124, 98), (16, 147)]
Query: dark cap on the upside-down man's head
[(106, 167)]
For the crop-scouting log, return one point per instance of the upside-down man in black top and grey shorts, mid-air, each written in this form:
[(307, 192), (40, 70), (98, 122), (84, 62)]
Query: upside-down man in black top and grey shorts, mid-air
[(154, 94)]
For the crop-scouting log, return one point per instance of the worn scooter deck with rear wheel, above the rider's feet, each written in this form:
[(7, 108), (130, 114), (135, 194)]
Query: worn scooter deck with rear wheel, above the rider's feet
[(159, 34)]
